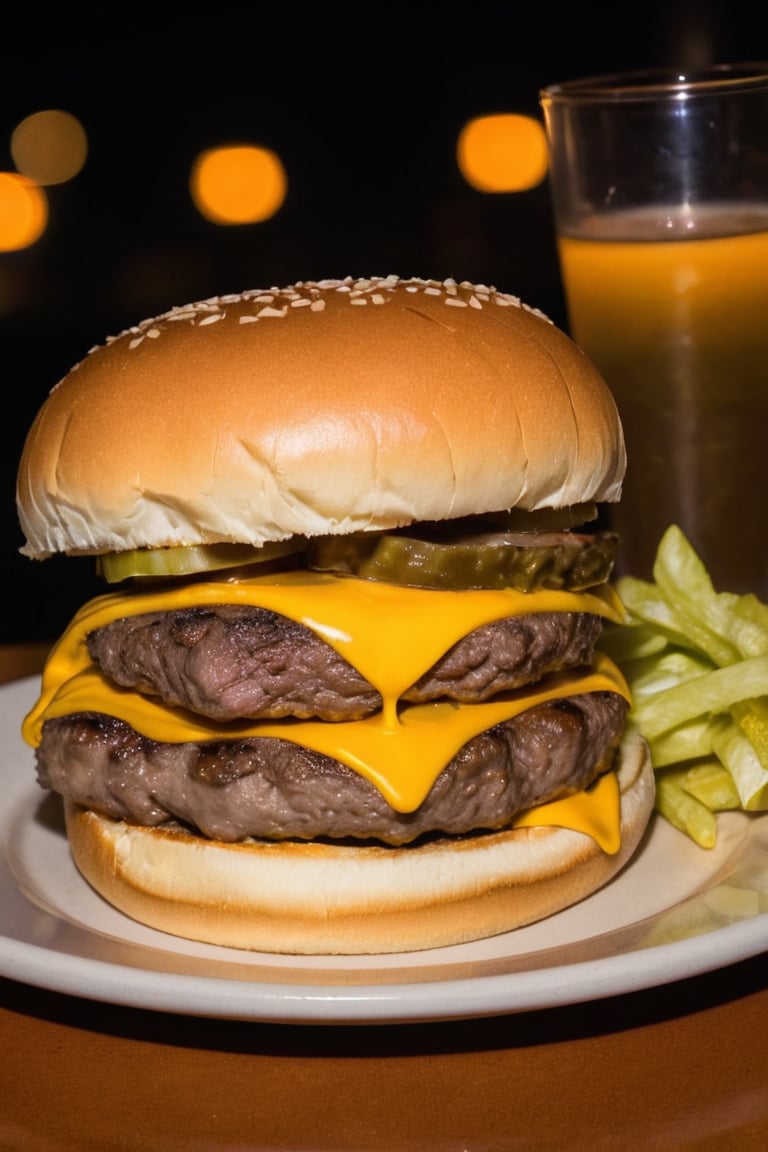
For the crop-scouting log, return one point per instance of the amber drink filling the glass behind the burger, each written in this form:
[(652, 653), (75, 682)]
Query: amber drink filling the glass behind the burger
[(694, 393)]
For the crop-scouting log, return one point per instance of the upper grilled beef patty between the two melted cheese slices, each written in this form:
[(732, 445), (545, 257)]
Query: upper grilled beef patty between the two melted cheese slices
[(233, 662)]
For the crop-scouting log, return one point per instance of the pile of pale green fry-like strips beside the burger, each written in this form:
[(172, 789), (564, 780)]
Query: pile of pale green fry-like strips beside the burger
[(697, 663)]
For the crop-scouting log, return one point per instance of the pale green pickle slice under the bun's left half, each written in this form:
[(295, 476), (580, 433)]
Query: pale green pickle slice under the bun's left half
[(188, 560)]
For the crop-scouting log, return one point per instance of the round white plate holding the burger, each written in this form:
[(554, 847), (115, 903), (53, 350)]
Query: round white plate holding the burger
[(676, 912)]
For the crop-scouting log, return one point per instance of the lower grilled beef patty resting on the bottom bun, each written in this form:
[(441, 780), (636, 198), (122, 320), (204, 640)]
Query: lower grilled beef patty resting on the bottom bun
[(277, 790)]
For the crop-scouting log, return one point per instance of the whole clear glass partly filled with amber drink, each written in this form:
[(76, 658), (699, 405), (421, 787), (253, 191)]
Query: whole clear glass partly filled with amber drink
[(661, 209)]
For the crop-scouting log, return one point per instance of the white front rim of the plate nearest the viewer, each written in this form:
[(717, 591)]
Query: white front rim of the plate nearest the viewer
[(377, 1004)]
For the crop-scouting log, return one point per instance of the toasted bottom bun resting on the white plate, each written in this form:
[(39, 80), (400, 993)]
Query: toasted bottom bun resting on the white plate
[(313, 898)]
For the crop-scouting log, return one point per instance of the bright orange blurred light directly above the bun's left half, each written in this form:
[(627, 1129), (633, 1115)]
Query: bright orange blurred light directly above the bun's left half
[(238, 185)]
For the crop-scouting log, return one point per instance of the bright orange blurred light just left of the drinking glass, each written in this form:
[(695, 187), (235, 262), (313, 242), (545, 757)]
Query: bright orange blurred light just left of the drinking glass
[(503, 154)]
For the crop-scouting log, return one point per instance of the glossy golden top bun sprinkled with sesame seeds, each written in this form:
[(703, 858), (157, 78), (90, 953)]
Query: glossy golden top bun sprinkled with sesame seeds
[(326, 407)]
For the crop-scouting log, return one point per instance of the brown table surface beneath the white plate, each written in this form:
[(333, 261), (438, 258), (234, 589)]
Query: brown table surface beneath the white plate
[(680, 1067)]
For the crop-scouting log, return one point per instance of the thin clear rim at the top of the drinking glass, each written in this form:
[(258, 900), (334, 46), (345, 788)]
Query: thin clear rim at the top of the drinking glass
[(659, 84)]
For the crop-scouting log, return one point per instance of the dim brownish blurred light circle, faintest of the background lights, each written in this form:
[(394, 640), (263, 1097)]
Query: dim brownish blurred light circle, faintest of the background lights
[(50, 147)]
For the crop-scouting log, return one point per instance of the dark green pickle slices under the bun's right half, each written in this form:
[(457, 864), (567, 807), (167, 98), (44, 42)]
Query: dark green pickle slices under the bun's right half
[(495, 560)]
